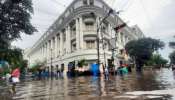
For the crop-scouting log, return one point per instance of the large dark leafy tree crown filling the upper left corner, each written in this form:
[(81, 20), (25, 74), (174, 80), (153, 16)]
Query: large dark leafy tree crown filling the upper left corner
[(15, 18)]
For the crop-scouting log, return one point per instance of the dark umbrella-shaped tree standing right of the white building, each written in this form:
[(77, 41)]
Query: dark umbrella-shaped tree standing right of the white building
[(141, 50)]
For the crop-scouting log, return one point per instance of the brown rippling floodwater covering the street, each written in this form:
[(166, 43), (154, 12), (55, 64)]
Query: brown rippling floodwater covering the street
[(151, 85)]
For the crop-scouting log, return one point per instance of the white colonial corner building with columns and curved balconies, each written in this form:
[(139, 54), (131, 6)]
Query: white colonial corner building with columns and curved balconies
[(72, 36)]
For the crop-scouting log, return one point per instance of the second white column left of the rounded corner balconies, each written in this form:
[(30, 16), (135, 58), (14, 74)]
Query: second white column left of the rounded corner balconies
[(77, 35)]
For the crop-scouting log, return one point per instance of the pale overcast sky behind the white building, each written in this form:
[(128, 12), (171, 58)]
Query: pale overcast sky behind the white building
[(154, 17)]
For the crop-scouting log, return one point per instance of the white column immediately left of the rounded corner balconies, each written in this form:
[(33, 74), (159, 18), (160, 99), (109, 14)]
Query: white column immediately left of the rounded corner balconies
[(81, 33)]
